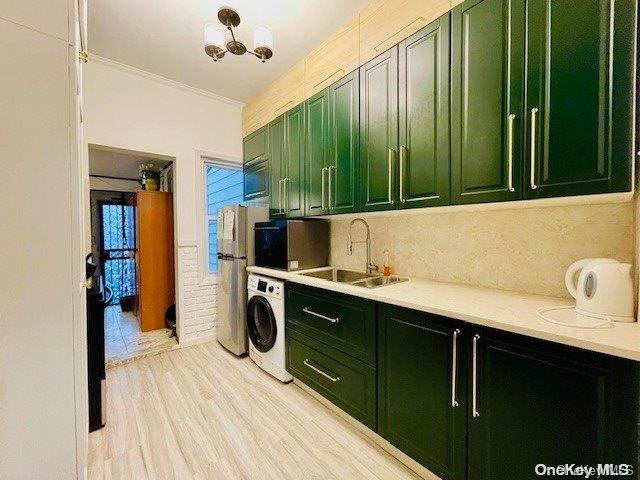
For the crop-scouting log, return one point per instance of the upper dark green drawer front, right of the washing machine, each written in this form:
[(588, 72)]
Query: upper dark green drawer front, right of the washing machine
[(342, 321)]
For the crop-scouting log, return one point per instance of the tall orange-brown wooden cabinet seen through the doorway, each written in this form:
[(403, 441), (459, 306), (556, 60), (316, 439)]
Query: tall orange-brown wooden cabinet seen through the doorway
[(154, 257)]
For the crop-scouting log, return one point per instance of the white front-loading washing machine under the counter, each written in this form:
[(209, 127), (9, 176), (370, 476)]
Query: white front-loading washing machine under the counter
[(265, 325)]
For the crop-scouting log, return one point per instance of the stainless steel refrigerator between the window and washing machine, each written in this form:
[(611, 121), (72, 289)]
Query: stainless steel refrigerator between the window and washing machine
[(235, 252)]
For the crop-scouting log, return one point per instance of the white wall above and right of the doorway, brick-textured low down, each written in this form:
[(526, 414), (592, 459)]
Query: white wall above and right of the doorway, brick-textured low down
[(130, 109)]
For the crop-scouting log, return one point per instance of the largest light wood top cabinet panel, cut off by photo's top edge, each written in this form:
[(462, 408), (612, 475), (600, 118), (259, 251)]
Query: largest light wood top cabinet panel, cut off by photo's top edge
[(384, 23)]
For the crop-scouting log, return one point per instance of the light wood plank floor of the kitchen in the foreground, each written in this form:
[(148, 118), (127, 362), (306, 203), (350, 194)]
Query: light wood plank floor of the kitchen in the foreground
[(201, 413)]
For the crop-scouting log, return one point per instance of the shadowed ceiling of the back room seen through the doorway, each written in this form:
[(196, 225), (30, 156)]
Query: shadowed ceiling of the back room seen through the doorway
[(120, 163)]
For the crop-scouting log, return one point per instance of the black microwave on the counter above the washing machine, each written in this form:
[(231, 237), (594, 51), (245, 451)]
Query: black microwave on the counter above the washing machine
[(292, 244)]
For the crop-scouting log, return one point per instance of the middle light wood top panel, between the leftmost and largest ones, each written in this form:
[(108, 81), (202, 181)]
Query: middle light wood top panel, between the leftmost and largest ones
[(333, 59)]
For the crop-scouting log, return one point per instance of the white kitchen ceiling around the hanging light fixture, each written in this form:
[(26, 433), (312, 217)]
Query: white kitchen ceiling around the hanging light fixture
[(165, 37)]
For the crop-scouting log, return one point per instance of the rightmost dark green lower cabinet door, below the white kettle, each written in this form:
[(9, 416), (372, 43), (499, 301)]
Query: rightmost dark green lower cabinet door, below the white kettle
[(540, 403)]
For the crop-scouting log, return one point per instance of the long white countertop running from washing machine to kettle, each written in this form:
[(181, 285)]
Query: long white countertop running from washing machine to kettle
[(508, 311)]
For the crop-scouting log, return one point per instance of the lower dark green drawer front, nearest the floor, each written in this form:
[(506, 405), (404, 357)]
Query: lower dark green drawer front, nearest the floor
[(347, 383)]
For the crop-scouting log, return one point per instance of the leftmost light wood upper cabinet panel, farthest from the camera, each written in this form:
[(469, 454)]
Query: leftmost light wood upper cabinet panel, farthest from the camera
[(284, 94)]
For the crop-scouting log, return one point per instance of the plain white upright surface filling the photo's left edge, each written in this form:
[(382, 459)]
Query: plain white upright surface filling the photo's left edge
[(39, 262)]
